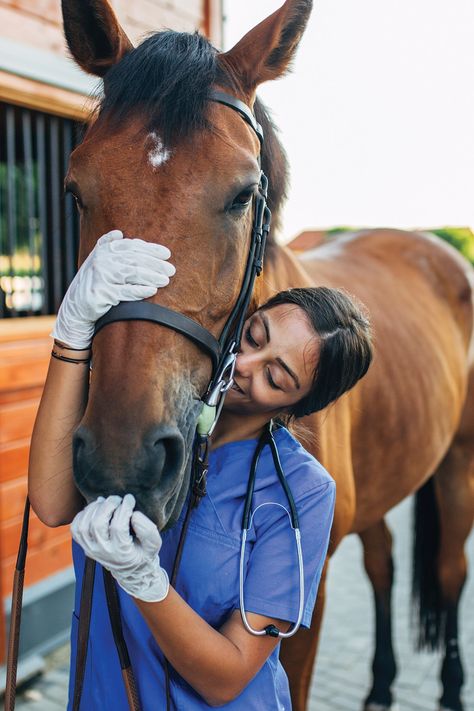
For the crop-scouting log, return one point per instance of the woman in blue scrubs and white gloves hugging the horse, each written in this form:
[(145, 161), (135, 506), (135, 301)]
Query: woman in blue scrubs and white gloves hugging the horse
[(300, 352)]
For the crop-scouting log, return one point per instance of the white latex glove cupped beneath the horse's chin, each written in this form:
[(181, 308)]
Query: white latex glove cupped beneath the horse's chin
[(102, 529)]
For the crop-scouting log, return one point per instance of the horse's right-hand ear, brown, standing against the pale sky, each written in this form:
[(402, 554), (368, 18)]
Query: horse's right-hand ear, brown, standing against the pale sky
[(266, 51)]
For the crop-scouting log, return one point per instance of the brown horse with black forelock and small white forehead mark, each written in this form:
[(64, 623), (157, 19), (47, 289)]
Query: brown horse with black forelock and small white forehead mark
[(160, 161)]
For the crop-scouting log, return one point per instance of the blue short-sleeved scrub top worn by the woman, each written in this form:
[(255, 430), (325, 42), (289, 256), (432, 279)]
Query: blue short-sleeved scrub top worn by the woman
[(208, 578)]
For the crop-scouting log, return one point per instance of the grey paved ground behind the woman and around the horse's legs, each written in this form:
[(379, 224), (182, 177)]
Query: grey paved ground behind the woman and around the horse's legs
[(343, 670)]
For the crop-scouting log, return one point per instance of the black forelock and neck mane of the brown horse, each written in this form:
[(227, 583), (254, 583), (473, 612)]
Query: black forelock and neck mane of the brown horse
[(167, 78)]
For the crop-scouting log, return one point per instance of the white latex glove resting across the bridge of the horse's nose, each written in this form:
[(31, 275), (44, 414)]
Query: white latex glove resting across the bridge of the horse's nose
[(116, 270)]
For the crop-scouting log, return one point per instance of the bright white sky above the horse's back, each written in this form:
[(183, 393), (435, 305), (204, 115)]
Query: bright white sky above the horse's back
[(377, 116)]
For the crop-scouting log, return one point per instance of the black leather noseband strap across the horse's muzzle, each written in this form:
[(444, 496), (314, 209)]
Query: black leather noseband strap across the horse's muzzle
[(146, 311)]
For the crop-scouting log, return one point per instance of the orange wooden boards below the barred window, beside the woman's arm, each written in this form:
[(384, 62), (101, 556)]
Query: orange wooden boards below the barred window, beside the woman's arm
[(24, 355)]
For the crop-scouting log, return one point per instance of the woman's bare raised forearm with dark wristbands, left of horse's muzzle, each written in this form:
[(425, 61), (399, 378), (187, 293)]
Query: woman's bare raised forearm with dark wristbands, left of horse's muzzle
[(51, 489)]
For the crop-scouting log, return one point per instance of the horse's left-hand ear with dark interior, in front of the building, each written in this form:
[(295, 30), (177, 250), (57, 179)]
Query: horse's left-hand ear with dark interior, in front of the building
[(94, 35)]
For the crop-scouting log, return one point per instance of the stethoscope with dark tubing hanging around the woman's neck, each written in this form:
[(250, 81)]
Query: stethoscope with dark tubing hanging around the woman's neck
[(268, 439)]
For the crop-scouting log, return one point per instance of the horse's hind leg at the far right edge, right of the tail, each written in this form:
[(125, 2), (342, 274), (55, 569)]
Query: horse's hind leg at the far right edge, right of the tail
[(454, 487)]
